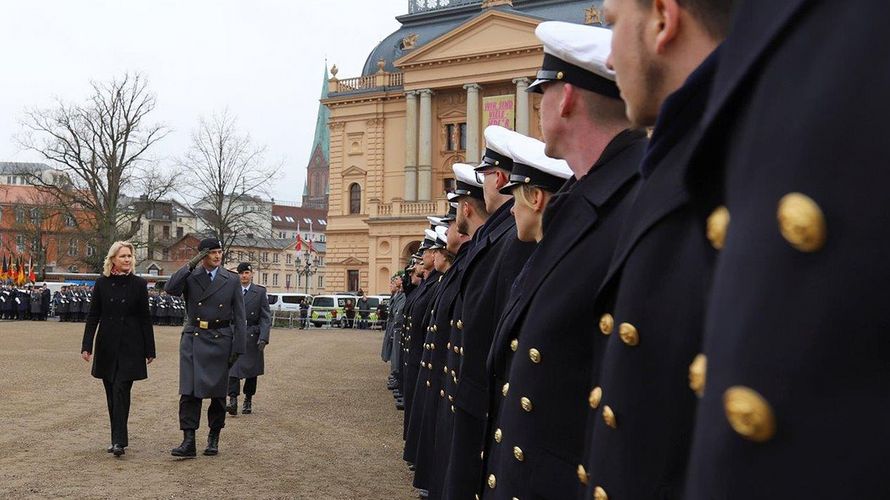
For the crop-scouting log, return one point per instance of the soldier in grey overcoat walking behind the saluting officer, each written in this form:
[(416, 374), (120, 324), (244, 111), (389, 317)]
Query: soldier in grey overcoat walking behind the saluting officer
[(259, 321)]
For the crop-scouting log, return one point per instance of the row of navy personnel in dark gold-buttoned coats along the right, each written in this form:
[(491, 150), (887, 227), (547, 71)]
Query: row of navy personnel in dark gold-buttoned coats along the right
[(700, 313)]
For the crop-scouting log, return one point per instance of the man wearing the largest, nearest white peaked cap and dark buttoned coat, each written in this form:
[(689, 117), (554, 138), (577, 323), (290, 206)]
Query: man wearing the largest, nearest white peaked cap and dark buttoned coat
[(545, 348)]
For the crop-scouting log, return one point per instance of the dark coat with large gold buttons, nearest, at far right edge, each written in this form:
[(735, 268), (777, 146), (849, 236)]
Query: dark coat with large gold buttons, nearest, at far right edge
[(797, 394)]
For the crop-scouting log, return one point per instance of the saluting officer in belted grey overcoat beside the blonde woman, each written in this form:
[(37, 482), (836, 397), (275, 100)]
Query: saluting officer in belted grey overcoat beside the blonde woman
[(212, 339)]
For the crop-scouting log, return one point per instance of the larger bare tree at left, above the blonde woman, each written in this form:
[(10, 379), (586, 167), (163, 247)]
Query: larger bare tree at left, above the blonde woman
[(102, 146)]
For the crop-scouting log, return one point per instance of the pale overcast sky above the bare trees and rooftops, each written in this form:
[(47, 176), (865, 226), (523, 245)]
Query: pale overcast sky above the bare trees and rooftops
[(262, 59)]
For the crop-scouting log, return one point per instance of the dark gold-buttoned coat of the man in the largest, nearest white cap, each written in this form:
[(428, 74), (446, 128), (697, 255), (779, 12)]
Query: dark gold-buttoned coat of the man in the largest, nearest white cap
[(545, 343)]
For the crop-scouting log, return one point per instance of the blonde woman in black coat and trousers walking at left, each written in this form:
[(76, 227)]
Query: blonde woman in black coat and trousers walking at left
[(125, 344)]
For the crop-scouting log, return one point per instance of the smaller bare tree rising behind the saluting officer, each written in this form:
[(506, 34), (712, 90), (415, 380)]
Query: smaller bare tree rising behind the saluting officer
[(227, 179)]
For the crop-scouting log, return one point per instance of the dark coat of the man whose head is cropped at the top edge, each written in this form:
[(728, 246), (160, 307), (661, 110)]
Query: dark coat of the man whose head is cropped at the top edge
[(657, 283)]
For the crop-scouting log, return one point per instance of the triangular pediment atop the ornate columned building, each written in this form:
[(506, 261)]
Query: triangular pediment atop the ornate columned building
[(491, 33)]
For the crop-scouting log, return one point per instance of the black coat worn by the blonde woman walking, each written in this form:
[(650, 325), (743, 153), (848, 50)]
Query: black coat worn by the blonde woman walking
[(119, 309)]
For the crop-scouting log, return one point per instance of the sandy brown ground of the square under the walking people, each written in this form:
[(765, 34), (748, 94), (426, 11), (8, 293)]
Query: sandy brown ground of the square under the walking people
[(324, 425)]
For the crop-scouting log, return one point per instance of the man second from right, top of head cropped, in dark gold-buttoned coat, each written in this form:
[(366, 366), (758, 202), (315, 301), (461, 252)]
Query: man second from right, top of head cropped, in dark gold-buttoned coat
[(639, 427)]
